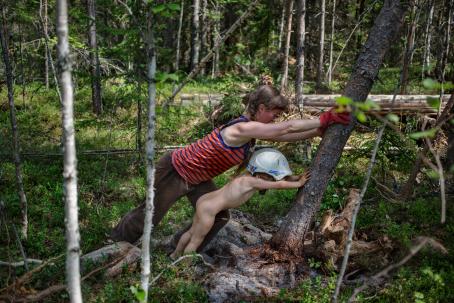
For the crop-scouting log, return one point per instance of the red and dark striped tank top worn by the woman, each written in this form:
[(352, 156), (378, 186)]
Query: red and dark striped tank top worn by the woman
[(209, 156)]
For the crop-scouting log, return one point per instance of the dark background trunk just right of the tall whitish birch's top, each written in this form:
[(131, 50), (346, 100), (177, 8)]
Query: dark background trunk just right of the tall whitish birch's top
[(94, 59)]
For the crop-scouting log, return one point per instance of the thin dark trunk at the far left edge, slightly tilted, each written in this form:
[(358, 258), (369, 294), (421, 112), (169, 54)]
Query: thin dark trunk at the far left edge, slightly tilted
[(4, 33)]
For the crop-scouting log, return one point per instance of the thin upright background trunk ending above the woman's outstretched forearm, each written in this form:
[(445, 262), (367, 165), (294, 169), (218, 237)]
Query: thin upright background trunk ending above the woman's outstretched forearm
[(301, 33)]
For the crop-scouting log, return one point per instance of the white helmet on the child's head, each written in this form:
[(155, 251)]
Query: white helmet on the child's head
[(269, 161)]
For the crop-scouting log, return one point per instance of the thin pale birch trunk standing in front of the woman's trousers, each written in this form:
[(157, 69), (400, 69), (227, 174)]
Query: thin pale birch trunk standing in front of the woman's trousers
[(149, 206)]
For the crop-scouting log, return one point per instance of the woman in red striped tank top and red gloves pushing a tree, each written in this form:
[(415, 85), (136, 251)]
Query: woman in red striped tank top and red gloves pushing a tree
[(189, 171)]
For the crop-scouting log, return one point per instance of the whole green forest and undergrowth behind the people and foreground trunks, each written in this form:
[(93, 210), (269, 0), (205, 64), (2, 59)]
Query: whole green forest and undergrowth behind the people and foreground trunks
[(108, 41)]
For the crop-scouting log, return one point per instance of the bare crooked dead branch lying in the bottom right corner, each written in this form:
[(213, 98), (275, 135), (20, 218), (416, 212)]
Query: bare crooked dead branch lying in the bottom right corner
[(380, 277)]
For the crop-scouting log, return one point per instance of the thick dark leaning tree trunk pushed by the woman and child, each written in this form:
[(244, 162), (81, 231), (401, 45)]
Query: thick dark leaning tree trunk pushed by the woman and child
[(290, 236)]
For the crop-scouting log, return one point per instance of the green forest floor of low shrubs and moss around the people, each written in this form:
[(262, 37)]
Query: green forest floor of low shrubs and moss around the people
[(112, 184)]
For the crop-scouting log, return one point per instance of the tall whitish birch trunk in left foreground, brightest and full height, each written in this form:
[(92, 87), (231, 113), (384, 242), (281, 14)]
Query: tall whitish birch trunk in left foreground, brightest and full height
[(70, 157)]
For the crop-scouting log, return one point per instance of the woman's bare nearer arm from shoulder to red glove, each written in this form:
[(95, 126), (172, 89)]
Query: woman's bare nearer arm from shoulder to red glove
[(242, 132)]
